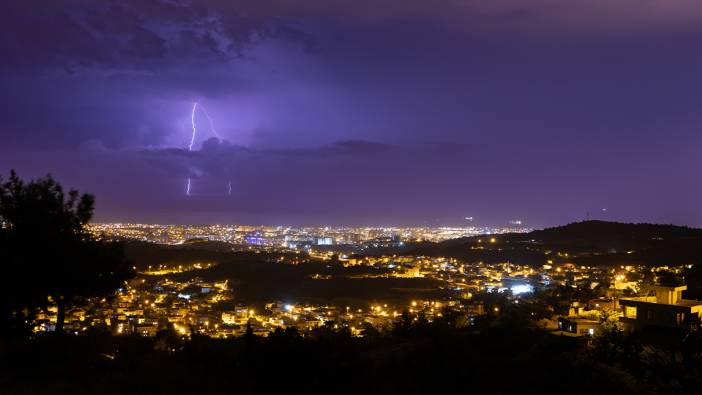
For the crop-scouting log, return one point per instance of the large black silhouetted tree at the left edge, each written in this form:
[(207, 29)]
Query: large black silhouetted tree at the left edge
[(47, 253)]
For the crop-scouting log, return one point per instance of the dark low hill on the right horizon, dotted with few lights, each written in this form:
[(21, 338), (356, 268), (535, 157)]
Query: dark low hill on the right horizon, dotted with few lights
[(587, 243)]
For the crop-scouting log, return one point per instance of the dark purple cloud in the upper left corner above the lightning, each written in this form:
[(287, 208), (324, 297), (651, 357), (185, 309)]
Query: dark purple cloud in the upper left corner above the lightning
[(117, 35)]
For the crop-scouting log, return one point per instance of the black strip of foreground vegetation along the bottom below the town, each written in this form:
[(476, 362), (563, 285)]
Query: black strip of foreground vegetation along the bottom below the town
[(504, 356)]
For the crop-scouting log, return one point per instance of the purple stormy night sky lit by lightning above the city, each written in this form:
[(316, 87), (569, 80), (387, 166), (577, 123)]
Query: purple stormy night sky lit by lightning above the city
[(336, 112)]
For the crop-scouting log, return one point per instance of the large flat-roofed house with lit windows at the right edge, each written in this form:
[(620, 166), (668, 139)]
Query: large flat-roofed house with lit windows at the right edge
[(666, 309)]
